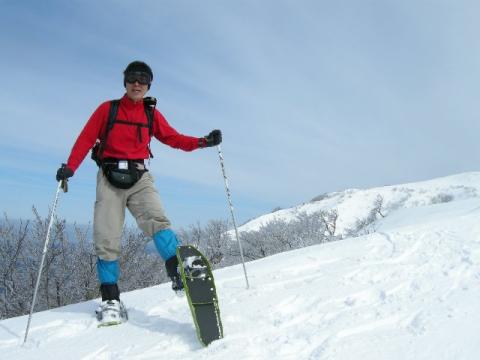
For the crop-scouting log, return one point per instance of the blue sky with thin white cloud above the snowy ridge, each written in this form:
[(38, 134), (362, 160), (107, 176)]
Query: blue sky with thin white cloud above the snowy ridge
[(312, 96)]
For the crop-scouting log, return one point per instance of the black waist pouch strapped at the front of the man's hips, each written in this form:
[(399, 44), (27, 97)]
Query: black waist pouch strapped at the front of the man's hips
[(122, 174)]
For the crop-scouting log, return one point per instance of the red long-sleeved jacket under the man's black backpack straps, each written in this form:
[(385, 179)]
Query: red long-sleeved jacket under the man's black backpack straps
[(123, 140)]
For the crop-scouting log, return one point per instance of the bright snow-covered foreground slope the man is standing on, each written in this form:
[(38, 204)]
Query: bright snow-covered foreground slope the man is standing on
[(409, 291)]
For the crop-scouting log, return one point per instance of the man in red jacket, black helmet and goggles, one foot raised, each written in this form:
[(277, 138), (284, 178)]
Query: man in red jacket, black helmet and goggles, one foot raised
[(123, 180)]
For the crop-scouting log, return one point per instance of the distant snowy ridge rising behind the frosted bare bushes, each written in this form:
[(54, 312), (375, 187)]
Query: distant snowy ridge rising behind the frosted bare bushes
[(353, 204)]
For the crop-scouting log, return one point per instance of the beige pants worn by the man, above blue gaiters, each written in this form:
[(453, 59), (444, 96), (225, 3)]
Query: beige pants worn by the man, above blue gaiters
[(143, 202)]
